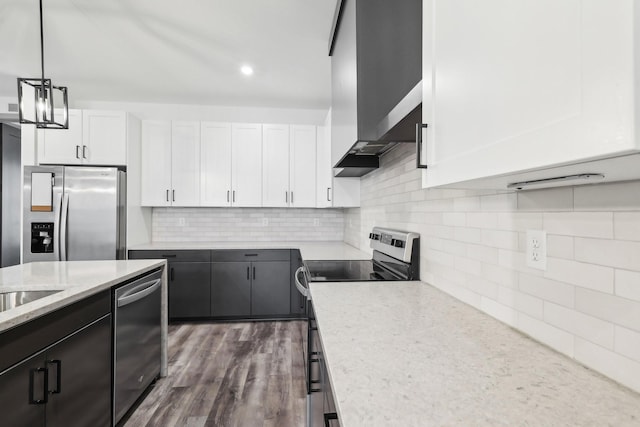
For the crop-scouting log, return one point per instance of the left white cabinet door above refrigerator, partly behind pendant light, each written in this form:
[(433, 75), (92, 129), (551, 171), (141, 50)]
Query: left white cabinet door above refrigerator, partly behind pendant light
[(62, 146)]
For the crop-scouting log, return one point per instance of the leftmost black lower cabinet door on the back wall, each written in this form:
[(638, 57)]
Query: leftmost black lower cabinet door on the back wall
[(189, 289)]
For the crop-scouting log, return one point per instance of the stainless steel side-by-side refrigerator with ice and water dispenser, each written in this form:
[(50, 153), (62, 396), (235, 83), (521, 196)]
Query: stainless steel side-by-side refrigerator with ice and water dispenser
[(74, 213)]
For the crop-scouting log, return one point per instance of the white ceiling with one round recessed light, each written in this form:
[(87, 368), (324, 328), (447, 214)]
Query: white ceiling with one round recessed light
[(176, 52)]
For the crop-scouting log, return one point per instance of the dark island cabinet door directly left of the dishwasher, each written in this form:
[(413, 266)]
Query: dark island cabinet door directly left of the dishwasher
[(79, 369)]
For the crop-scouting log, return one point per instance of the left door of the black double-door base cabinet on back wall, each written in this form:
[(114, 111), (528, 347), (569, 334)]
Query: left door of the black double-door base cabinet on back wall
[(231, 289)]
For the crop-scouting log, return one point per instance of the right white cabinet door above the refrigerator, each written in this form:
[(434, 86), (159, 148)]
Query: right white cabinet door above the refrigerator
[(104, 137)]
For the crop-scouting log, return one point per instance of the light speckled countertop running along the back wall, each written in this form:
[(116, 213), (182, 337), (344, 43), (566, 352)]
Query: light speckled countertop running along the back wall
[(310, 250)]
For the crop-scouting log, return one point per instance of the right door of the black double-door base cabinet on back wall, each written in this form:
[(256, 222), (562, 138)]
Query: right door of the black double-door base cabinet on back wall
[(271, 288)]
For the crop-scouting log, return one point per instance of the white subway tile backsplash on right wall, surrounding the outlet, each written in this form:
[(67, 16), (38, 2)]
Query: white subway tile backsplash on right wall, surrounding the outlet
[(585, 305)]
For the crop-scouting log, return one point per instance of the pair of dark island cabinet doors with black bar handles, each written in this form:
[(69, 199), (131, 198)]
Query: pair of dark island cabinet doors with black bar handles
[(67, 384)]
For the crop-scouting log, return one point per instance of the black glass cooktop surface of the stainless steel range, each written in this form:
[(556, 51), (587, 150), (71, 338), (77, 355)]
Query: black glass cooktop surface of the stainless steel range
[(347, 271)]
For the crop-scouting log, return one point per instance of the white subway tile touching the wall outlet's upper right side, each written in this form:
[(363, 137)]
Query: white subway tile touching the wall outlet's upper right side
[(582, 224)]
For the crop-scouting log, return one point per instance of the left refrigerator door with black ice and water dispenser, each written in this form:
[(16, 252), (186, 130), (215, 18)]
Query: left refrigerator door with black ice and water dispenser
[(41, 225)]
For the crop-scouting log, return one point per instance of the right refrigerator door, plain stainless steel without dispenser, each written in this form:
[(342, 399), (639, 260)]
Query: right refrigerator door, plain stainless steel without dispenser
[(91, 214)]
